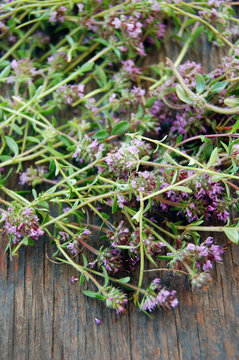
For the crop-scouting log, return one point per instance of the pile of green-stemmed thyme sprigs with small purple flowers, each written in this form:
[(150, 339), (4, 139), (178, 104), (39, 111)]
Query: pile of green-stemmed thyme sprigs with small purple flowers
[(108, 144)]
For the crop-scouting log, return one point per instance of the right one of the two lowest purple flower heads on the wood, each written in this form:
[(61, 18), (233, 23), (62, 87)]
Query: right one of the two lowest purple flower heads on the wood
[(158, 296)]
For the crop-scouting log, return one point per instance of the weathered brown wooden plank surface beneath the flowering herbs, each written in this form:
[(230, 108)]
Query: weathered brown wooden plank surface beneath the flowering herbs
[(44, 316)]
